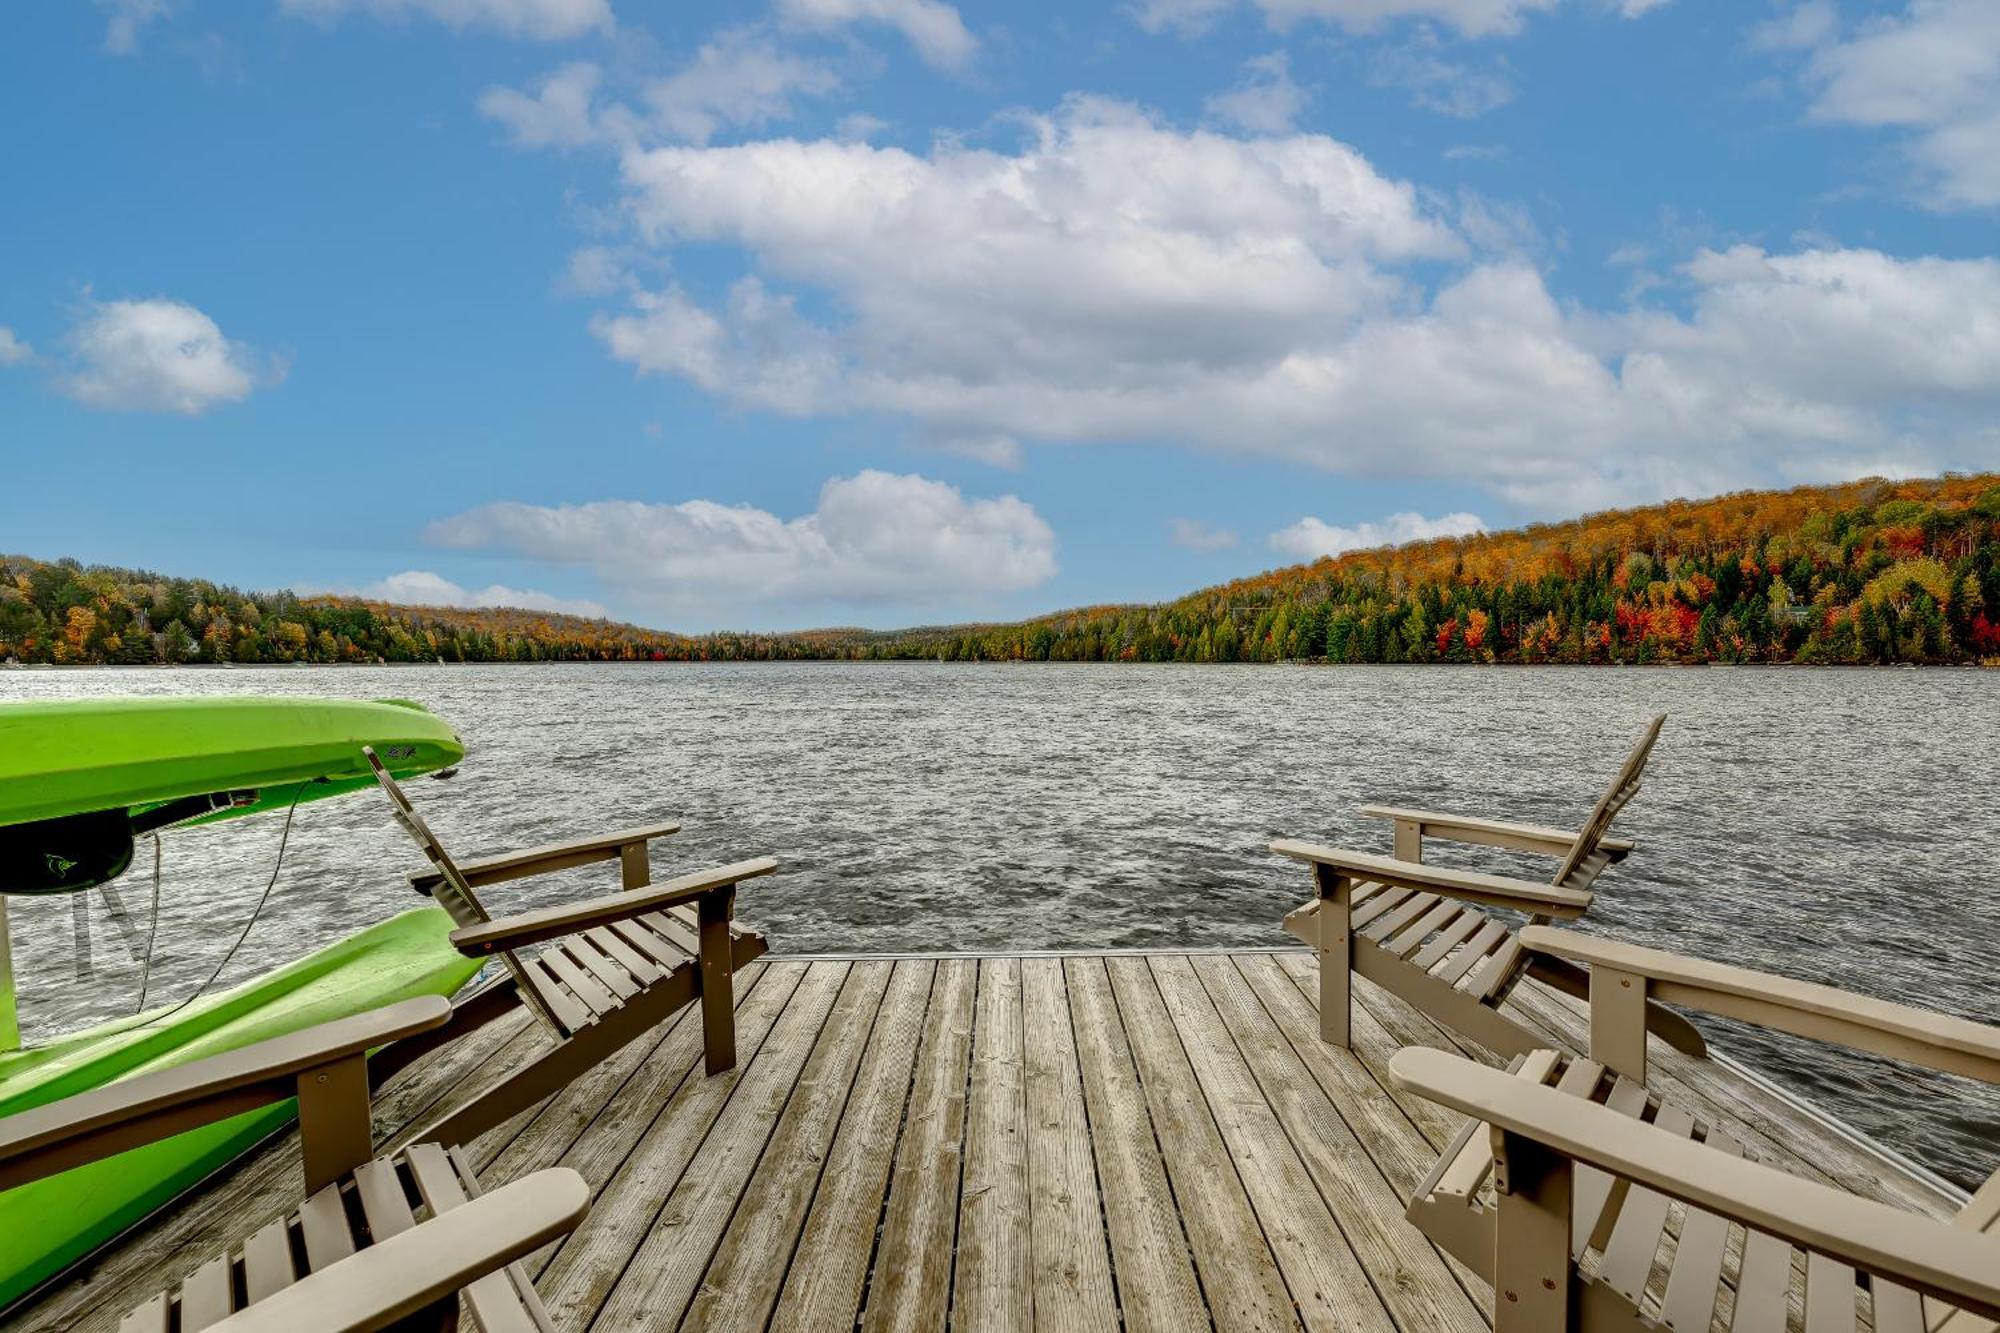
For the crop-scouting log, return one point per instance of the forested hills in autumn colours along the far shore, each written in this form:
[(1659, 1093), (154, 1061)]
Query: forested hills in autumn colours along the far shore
[(1865, 571)]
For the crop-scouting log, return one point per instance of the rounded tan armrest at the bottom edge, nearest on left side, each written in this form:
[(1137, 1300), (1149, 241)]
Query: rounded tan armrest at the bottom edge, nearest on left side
[(439, 1258)]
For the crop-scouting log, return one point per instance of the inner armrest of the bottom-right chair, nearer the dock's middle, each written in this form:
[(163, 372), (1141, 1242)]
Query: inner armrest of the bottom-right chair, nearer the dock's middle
[(1919, 1252)]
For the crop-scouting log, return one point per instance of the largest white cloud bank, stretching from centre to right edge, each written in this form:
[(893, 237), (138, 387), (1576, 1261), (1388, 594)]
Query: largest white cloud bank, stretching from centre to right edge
[(1281, 297)]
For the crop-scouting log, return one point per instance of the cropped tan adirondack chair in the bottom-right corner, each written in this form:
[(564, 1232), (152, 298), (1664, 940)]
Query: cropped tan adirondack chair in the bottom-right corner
[(1559, 1192)]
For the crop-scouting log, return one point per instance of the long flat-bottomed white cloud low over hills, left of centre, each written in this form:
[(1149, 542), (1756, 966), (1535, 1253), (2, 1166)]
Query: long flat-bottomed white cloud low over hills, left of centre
[(871, 537)]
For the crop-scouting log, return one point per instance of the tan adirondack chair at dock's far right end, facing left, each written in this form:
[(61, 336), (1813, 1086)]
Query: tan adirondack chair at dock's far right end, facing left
[(1425, 932)]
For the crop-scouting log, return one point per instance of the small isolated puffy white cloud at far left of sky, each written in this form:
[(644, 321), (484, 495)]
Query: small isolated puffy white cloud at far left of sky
[(157, 357)]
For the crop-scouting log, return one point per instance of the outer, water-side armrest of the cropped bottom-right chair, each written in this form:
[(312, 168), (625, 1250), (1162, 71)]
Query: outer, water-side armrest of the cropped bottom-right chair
[(1799, 1008)]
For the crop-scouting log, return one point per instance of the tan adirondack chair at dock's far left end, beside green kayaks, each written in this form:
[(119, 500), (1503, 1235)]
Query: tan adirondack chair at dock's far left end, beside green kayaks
[(615, 966)]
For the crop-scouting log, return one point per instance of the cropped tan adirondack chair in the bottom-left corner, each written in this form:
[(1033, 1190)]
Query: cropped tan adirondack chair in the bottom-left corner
[(377, 1242)]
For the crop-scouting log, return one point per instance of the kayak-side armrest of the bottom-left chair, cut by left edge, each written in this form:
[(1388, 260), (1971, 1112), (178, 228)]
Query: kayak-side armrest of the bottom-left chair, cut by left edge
[(159, 1106)]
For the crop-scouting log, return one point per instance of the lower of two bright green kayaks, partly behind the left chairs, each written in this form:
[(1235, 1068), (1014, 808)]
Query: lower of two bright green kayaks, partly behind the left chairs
[(51, 1224)]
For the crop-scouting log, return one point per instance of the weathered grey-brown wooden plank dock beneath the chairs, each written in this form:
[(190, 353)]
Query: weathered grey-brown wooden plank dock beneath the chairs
[(1079, 1142)]
